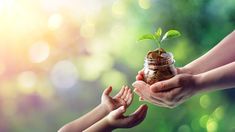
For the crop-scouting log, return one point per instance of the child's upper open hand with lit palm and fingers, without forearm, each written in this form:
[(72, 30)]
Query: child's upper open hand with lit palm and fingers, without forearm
[(123, 98)]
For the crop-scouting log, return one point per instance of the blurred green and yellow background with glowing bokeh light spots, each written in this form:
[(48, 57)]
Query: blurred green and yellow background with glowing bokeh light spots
[(57, 56)]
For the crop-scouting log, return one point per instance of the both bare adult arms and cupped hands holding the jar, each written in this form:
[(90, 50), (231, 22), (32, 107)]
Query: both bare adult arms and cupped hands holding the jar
[(213, 71)]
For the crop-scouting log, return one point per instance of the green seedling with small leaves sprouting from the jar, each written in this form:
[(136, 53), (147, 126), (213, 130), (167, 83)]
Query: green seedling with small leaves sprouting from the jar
[(157, 36)]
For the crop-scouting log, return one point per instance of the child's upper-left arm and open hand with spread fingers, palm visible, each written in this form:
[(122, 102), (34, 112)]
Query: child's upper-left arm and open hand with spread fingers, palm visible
[(107, 105)]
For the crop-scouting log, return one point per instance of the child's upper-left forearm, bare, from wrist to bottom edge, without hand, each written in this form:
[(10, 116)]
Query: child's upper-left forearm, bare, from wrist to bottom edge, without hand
[(86, 121)]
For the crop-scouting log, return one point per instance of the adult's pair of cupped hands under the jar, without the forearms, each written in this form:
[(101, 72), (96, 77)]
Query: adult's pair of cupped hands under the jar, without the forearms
[(168, 93)]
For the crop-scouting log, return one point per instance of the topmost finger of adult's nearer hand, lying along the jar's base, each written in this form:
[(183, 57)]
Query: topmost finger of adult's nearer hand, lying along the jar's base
[(165, 85)]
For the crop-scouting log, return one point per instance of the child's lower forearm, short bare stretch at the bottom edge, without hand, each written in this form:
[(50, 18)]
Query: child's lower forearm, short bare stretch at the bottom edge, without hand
[(101, 126)]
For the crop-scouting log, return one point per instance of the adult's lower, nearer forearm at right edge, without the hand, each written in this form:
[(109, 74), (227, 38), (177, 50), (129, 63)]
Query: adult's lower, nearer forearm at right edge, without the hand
[(219, 78)]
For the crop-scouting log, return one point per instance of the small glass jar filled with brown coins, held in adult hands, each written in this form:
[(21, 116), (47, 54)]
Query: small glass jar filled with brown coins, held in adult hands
[(159, 69)]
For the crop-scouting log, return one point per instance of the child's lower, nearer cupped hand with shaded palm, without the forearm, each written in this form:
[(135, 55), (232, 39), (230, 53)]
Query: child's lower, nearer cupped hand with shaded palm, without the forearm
[(116, 119)]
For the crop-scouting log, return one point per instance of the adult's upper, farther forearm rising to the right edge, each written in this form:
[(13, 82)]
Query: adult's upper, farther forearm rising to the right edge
[(221, 54)]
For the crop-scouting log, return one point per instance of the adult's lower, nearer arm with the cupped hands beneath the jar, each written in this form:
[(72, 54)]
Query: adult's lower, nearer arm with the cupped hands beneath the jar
[(176, 90)]
